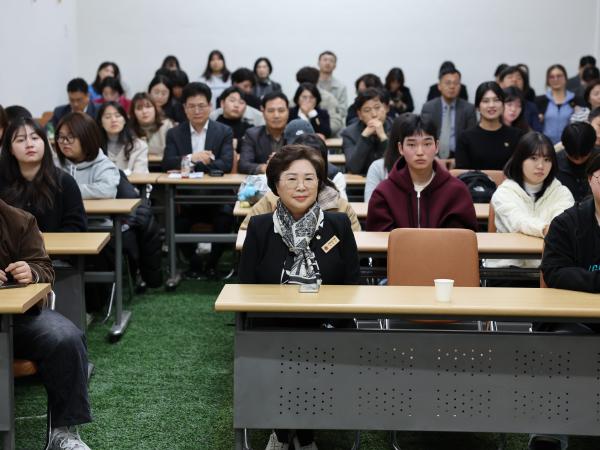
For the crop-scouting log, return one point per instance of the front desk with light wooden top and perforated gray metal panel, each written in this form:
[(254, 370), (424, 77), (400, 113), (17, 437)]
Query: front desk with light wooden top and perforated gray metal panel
[(414, 380)]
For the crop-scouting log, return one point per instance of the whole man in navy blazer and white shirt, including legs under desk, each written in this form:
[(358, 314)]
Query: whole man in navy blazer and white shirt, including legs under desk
[(210, 147)]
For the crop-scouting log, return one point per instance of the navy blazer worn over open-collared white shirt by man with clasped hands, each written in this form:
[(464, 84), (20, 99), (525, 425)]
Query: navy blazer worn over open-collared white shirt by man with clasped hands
[(219, 139)]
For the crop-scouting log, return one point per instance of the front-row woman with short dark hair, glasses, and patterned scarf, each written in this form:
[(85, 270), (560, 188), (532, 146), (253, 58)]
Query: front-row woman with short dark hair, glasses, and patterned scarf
[(299, 243)]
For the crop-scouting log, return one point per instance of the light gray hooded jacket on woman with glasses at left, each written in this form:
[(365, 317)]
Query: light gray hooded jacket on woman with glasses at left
[(96, 179)]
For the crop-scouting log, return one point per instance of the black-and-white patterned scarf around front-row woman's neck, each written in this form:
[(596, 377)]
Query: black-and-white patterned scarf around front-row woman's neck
[(300, 266)]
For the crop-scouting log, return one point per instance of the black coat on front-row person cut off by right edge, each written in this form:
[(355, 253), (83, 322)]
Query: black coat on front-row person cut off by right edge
[(572, 250)]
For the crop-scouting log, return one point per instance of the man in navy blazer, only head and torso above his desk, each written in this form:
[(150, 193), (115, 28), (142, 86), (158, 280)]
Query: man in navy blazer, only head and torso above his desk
[(209, 143)]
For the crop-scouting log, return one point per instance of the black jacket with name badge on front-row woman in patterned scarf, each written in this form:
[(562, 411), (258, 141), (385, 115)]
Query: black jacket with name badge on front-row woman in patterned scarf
[(264, 252)]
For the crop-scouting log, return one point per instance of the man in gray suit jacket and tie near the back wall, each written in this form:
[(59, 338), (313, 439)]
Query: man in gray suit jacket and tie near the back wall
[(452, 115)]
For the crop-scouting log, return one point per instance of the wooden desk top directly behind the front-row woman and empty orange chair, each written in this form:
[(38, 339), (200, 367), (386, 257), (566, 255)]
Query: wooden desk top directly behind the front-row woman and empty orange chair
[(497, 243)]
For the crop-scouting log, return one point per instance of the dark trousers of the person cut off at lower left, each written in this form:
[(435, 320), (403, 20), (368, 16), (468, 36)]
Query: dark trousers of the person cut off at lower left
[(59, 349)]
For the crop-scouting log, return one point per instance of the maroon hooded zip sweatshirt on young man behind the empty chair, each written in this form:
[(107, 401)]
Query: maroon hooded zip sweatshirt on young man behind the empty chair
[(444, 203)]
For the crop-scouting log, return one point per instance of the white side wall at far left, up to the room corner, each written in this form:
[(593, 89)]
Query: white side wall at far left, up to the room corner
[(38, 50)]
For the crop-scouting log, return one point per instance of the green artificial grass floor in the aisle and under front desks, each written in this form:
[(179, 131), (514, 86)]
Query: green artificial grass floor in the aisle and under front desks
[(167, 385)]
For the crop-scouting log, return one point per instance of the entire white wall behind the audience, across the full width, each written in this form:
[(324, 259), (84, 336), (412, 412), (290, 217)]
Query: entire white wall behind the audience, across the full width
[(367, 36)]
